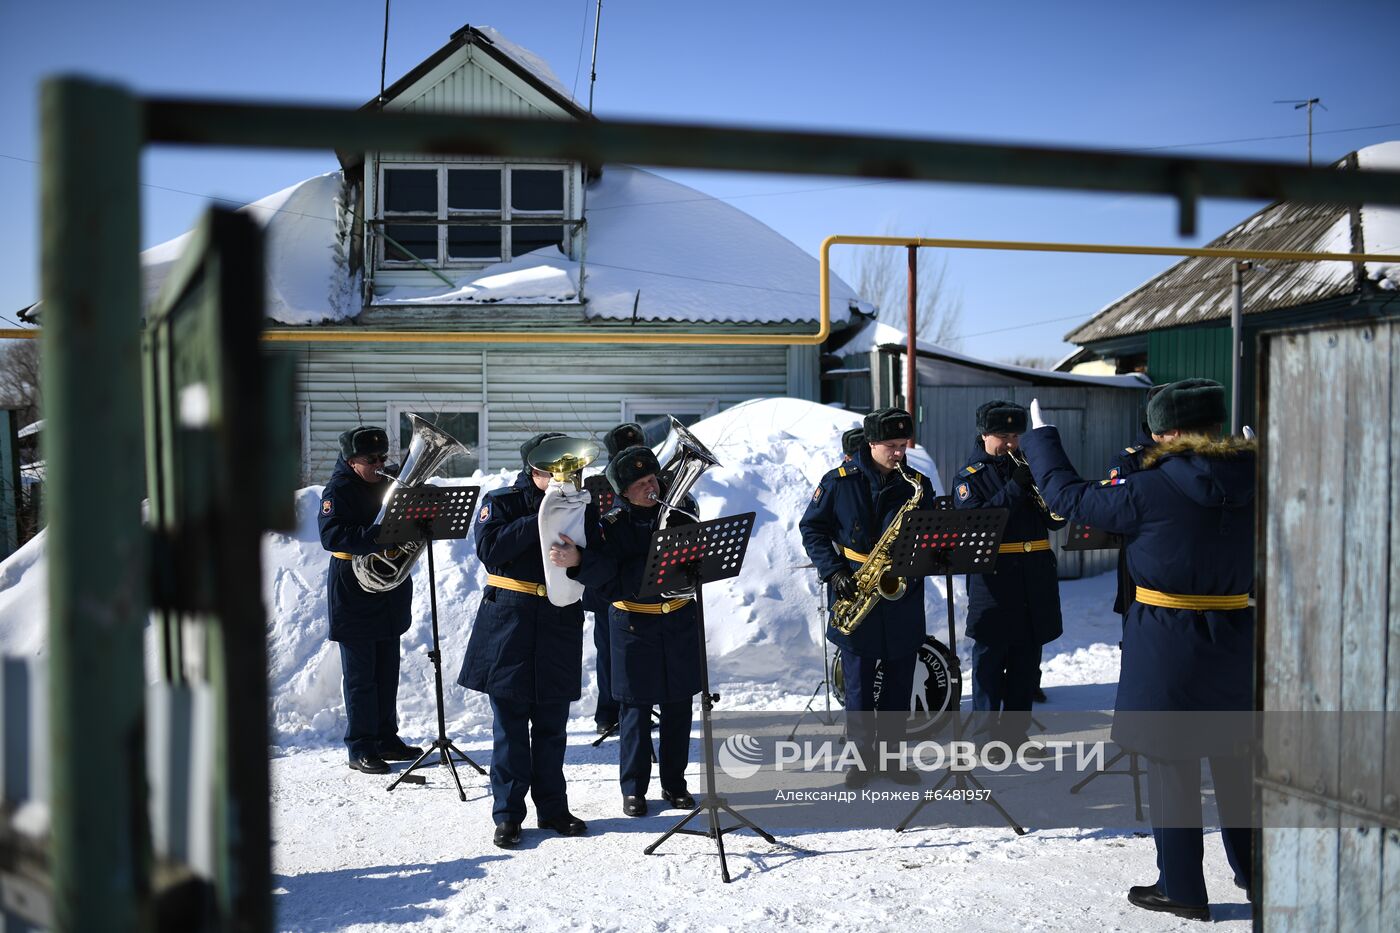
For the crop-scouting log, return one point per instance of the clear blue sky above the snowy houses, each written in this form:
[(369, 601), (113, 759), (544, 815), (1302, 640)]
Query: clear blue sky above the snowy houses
[(1114, 75)]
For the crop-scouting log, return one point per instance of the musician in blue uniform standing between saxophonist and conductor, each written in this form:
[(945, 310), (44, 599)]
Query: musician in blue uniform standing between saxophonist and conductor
[(1014, 611)]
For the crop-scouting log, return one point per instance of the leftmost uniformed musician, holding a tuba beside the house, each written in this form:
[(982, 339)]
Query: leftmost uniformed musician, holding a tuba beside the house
[(366, 626)]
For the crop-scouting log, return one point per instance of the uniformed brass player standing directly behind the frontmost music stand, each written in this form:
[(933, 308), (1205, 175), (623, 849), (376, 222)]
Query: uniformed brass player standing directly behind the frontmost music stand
[(656, 644)]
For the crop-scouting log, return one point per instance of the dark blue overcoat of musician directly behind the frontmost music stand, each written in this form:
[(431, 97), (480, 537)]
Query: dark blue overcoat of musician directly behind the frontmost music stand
[(656, 658)]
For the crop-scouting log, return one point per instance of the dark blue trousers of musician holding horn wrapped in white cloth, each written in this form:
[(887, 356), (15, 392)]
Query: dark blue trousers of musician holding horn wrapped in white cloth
[(528, 756)]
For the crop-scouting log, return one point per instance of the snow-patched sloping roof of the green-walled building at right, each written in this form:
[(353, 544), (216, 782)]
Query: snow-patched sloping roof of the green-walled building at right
[(1199, 289)]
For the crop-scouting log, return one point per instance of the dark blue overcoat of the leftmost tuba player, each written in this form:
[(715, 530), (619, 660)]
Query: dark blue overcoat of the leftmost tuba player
[(349, 508)]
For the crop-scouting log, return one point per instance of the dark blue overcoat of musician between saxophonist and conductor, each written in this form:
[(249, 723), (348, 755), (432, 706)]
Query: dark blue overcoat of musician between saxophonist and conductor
[(1018, 603)]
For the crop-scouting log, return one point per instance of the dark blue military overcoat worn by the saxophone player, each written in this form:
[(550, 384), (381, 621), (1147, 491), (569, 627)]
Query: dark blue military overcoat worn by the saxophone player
[(849, 512)]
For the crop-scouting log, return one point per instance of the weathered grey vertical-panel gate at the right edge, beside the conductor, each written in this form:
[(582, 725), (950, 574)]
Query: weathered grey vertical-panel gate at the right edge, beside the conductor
[(1329, 626)]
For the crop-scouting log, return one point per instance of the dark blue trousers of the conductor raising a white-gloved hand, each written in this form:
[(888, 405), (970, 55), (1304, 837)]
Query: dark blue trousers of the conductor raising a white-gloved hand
[(1175, 796)]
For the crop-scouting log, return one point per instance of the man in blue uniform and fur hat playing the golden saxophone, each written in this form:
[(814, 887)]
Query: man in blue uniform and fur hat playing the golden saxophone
[(846, 518)]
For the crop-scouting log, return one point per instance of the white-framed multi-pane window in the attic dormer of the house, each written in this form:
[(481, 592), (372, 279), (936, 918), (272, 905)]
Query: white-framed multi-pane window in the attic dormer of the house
[(507, 212)]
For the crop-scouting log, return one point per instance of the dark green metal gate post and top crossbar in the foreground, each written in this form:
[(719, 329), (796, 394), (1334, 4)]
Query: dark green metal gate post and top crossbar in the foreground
[(99, 551)]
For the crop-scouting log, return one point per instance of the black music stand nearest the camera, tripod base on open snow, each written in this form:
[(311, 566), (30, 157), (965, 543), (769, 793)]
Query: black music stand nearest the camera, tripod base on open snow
[(688, 558)]
